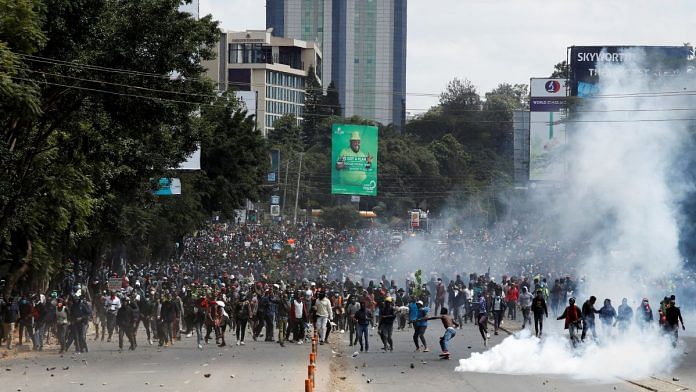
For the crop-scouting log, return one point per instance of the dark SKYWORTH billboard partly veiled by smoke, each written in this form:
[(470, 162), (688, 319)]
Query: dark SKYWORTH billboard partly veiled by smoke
[(658, 60)]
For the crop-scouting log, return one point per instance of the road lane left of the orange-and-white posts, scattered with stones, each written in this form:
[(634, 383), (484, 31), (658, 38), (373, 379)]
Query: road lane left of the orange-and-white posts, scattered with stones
[(181, 367)]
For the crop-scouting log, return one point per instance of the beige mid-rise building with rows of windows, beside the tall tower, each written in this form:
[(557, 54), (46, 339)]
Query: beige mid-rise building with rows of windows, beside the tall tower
[(275, 68)]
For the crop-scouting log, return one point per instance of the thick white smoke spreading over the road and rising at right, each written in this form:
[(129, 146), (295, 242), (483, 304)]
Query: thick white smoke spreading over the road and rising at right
[(620, 199)]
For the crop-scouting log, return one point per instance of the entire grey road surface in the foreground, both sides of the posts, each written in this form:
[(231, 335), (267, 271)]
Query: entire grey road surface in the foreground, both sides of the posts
[(267, 366)]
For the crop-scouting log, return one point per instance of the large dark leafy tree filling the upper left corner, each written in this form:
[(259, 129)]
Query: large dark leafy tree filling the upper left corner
[(77, 165)]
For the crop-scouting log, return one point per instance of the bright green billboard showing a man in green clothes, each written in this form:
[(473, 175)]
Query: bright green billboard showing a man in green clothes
[(354, 159)]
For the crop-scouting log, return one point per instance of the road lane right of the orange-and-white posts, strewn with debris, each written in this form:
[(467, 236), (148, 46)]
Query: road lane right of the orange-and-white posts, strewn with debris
[(404, 369)]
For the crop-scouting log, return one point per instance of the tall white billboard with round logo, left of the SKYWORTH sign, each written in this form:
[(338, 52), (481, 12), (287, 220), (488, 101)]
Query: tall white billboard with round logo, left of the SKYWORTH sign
[(547, 133)]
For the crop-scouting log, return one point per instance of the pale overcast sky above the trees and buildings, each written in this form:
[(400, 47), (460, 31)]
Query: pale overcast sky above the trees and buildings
[(496, 41)]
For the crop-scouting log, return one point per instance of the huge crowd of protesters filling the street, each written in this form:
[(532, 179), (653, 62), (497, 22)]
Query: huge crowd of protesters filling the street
[(278, 283)]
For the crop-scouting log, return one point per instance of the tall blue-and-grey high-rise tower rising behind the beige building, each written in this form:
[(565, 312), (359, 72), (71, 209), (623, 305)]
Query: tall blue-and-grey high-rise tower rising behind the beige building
[(364, 46)]
